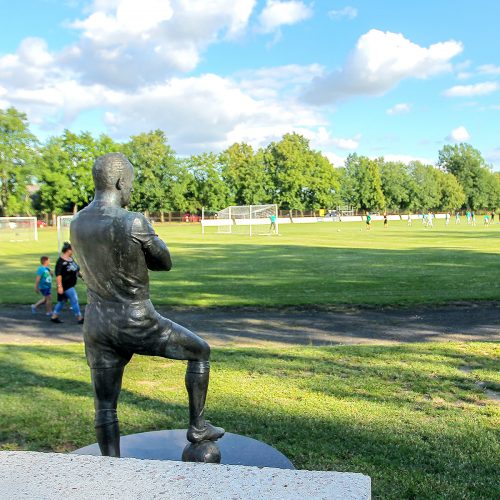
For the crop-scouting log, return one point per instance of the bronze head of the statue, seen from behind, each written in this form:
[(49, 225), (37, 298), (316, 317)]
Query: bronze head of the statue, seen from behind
[(114, 173)]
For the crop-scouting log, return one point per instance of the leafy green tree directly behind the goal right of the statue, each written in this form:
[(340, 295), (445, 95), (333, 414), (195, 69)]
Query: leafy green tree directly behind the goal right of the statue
[(245, 175)]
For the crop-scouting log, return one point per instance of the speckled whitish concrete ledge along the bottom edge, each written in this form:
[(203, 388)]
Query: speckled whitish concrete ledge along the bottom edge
[(42, 476)]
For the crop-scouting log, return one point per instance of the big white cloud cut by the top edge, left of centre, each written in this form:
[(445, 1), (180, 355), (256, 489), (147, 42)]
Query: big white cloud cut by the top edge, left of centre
[(127, 44)]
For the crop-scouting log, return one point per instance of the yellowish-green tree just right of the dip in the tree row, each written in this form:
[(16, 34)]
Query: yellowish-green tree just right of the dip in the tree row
[(364, 183)]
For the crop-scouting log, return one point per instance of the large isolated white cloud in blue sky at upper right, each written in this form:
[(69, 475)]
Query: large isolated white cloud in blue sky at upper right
[(378, 63)]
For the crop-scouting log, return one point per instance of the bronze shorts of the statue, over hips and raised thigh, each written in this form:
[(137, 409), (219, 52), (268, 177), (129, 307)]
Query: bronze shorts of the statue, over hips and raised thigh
[(114, 331)]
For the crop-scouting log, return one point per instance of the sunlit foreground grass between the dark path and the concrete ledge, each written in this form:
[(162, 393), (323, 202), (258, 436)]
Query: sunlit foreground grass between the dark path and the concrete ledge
[(417, 418)]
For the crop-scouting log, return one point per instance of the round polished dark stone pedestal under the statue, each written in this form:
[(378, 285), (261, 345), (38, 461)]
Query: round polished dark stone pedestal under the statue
[(168, 445)]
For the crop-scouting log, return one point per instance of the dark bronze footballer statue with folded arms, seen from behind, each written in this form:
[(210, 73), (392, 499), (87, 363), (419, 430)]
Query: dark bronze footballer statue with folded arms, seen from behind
[(115, 249)]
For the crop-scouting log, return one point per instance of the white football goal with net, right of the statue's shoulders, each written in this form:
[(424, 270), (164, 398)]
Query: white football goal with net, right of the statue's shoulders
[(245, 219)]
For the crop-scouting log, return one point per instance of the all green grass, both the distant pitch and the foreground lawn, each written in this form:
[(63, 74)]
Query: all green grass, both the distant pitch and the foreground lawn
[(418, 418)]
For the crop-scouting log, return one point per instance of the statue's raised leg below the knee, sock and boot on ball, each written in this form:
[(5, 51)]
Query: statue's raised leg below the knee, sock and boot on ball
[(197, 378)]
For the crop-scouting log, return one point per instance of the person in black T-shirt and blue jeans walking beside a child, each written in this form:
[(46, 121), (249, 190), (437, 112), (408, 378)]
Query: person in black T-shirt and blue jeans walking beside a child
[(67, 271)]
